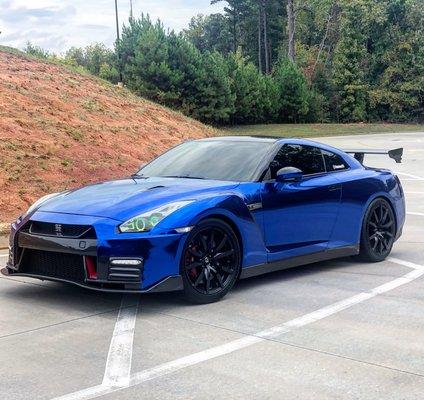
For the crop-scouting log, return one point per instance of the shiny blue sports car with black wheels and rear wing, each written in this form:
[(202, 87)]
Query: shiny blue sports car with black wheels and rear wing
[(209, 212)]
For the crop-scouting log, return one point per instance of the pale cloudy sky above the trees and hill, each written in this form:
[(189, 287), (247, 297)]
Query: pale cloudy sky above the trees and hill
[(57, 25)]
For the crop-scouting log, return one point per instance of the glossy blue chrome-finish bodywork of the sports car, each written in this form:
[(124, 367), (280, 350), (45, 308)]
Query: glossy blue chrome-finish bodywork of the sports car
[(273, 221)]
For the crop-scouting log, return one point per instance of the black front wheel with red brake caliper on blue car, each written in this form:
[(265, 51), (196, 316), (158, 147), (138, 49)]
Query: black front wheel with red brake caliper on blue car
[(210, 263)]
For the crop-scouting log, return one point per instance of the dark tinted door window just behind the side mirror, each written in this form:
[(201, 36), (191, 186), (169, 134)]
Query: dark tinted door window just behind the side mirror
[(306, 158)]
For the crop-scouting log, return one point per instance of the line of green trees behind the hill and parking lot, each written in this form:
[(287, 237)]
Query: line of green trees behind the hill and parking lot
[(264, 61)]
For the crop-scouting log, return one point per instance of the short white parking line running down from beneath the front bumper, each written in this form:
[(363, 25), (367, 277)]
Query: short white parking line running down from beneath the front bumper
[(118, 364)]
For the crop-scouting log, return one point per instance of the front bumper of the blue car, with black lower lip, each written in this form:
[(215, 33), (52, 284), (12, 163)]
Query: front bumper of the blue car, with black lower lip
[(88, 261)]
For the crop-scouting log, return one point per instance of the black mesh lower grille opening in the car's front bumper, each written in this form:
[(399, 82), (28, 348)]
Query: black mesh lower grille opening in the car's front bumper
[(55, 265)]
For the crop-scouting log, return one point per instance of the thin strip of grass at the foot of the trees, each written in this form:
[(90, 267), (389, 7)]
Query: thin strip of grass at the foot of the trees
[(316, 130)]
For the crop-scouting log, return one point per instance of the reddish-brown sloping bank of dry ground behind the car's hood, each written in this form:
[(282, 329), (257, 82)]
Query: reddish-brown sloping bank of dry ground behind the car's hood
[(60, 129)]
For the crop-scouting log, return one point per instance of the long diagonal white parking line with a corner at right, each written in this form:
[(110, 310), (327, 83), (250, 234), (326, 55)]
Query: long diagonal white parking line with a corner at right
[(249, 340)]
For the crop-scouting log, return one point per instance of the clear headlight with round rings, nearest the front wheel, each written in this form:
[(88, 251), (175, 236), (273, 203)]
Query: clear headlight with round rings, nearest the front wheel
[(147, 221)]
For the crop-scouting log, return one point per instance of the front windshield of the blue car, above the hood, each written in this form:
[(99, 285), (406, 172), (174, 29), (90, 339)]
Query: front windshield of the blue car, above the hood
[(226, 160)]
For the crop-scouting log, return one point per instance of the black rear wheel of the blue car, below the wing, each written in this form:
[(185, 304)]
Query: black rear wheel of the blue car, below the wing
[(378, 231)]
